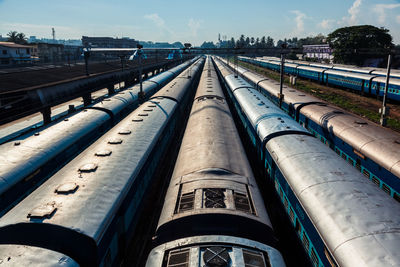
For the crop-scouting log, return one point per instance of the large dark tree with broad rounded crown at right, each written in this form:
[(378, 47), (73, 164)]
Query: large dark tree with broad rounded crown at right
[(355, 44)]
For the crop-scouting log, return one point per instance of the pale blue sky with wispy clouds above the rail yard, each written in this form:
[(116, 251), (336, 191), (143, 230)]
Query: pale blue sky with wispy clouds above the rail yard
[(194, 21)]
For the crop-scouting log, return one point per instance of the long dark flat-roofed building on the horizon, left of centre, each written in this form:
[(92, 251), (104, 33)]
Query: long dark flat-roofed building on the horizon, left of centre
[(108, 42)]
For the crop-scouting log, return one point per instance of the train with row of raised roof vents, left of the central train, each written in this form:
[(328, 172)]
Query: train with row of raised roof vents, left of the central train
[(88, 210)]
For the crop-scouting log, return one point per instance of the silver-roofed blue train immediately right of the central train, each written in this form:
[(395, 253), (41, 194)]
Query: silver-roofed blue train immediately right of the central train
[(340, 217)]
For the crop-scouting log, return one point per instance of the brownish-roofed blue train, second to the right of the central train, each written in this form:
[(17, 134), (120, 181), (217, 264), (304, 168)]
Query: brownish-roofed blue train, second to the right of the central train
[(371, 149)]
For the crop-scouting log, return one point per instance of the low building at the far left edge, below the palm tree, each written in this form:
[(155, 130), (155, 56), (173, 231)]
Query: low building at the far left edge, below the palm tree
[(12, 53)]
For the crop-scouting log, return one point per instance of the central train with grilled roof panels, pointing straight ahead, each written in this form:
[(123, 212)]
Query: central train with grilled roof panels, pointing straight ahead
[(213, 212)]
